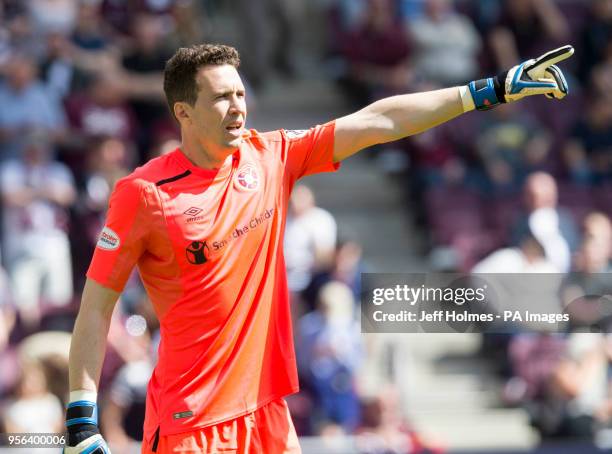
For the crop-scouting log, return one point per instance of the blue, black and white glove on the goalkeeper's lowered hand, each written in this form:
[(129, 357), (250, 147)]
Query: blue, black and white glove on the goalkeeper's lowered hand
[(82, 425)]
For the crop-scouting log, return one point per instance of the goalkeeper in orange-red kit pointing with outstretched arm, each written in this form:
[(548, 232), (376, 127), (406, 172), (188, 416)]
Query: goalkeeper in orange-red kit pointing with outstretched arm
[(204, 225)]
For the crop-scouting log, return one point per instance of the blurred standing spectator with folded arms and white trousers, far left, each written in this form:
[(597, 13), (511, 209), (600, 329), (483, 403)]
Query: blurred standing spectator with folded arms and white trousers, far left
[(36, 192)]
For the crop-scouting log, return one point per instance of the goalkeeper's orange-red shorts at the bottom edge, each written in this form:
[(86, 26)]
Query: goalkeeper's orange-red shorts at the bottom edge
[(268, 430)]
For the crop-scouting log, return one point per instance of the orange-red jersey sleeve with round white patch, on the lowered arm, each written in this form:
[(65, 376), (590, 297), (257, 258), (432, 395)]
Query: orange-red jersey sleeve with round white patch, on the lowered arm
[(123, 238)]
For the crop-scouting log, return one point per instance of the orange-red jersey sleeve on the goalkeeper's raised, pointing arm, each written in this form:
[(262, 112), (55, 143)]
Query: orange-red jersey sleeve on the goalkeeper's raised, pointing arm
[(310, 151)]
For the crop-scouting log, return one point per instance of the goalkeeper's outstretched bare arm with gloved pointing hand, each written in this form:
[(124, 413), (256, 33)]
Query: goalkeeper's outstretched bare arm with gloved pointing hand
[(400, 116)]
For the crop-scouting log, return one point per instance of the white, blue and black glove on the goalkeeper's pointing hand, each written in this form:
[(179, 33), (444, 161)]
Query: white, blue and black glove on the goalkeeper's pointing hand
[(540, 76)]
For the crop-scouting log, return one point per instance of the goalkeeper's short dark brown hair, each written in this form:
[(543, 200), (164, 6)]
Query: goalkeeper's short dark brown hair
[(180, 72)]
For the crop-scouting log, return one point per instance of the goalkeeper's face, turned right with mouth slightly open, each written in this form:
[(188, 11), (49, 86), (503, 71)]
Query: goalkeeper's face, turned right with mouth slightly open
[(219, 113)]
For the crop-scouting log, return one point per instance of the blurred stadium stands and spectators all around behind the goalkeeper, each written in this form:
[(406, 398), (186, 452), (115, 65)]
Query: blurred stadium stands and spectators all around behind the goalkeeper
[(526, 187)]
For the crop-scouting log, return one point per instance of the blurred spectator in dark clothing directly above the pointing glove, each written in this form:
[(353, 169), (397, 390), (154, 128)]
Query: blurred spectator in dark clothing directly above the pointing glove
[(526, 28)]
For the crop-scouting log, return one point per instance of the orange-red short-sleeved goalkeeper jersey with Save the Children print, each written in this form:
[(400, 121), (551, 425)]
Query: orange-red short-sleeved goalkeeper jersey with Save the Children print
[(209, 249)]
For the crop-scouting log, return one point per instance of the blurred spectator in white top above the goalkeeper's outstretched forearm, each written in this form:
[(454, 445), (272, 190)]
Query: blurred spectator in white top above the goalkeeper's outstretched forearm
[(446, 45)]
